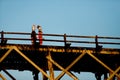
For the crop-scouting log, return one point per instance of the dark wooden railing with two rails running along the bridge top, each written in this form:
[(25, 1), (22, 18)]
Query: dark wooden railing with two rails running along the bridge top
[(59, 39)]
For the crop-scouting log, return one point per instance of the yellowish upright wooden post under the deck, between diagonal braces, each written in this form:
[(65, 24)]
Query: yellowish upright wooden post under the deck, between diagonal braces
[(50, 66)]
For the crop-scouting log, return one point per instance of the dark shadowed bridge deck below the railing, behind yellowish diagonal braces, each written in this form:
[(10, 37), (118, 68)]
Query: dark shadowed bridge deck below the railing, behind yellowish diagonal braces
[(60, 54)]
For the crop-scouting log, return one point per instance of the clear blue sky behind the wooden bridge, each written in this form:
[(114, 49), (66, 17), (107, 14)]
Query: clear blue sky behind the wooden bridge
[(74, 17)]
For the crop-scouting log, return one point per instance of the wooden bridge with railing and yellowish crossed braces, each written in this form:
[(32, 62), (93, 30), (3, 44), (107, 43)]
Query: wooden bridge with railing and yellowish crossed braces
[(66, 53)]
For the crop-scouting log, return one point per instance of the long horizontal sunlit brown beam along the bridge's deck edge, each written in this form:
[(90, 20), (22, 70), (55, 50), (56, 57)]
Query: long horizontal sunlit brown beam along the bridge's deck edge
[(61, 49)]
